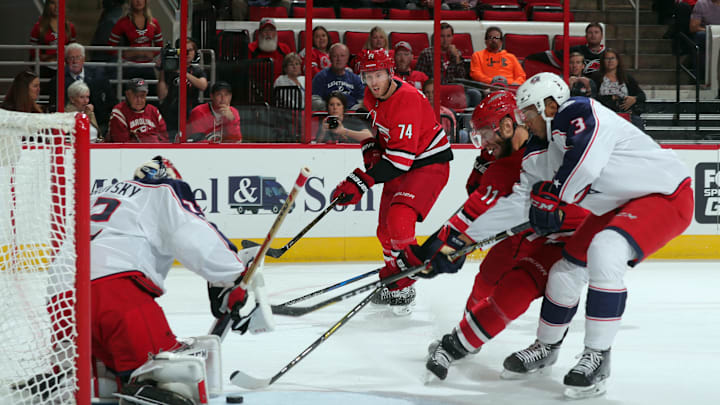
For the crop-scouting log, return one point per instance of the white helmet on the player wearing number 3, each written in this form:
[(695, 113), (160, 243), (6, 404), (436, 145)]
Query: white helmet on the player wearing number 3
[(539, 87)]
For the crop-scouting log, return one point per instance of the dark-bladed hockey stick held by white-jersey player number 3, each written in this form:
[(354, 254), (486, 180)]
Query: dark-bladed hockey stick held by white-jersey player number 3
[(299, 311)]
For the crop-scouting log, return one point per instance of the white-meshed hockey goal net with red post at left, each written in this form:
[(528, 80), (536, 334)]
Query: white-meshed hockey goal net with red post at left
[(41, 340)]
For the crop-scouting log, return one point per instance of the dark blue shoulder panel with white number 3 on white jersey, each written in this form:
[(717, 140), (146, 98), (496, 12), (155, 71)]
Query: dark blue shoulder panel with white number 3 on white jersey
[(576, 120)]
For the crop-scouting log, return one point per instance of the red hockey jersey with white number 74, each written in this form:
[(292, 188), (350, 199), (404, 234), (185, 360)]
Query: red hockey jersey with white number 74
[(408, 133)]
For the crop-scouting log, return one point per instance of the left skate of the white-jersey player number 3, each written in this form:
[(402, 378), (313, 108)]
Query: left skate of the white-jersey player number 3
[(537, 358)]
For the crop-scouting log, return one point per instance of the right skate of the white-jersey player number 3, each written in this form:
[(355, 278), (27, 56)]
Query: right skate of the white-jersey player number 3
[(589, 377)]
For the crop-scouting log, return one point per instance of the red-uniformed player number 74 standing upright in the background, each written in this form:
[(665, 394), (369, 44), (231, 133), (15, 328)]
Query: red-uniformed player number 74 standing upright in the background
[(409, 154)]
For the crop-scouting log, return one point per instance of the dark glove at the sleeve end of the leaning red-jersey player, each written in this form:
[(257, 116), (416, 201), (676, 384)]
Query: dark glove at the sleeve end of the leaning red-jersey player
[(436, 248)]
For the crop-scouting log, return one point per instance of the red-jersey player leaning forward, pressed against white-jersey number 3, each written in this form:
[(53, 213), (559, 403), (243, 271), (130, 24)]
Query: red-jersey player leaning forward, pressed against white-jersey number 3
[(514, 272)]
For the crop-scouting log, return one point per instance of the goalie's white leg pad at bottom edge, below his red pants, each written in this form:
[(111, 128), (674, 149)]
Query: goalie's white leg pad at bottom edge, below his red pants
[(182, 374)]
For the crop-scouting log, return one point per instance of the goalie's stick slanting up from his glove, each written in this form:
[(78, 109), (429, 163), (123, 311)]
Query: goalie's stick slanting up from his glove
[(220, 326)]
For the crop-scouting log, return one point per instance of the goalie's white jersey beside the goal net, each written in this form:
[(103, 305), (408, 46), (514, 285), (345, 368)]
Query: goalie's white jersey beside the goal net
[(144, 226)]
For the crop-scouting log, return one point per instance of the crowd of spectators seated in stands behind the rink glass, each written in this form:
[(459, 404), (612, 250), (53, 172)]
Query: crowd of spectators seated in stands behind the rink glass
[(337, 88)]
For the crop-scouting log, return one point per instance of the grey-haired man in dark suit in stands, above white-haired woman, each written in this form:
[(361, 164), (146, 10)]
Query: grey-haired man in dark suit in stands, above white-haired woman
[(102, 96)]
